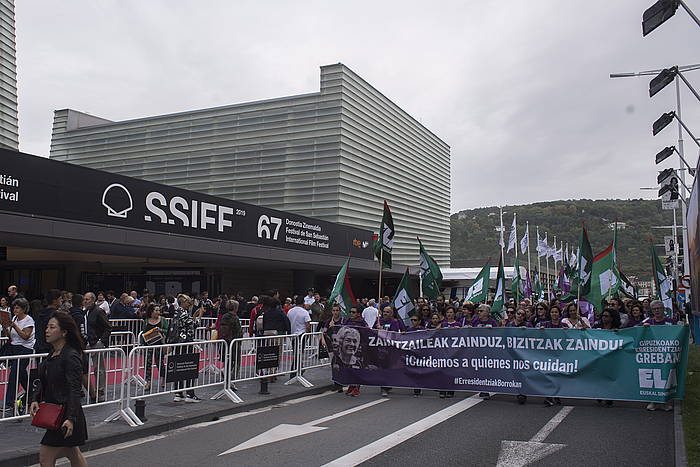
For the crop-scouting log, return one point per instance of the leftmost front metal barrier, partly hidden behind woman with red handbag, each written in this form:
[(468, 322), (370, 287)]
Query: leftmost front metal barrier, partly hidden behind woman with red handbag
[(106, 366)]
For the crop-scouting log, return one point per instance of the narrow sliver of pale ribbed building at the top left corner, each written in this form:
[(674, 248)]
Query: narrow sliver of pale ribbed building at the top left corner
[(9, 134)]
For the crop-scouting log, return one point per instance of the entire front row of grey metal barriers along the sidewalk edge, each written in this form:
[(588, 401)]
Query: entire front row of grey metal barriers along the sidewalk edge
[(113, 376)]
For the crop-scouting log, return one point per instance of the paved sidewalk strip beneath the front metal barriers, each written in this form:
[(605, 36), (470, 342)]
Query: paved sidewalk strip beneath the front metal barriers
[(19, 445)]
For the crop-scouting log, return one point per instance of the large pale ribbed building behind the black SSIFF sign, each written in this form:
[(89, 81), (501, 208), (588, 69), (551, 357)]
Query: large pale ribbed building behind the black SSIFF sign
[(334, 155)]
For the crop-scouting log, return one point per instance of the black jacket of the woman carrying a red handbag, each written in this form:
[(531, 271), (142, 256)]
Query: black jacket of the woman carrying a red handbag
[(62, 381)]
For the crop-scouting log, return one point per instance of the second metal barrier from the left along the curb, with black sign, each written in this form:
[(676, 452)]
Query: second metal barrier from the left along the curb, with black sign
[(176, 365)]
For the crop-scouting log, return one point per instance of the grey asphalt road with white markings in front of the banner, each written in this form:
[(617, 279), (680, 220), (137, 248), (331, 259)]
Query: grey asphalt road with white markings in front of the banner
[(403, 430)]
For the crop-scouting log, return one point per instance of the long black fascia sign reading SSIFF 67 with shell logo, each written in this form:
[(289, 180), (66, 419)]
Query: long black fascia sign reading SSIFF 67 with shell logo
[(46, 188)]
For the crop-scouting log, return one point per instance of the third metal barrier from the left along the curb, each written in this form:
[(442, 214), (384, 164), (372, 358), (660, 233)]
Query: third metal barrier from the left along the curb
[(258, 358)]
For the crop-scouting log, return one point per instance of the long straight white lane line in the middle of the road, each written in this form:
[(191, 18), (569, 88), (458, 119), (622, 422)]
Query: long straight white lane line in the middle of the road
[(394, 439)]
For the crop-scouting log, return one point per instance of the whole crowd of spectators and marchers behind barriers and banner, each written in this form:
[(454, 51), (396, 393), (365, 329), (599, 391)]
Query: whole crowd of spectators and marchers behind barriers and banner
[(173, 319)]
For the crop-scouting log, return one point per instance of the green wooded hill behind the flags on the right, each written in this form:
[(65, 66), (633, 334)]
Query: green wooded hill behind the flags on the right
[(474, 236)]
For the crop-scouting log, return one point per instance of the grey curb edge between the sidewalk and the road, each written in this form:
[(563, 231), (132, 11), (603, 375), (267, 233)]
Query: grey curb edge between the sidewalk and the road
[(31, 458)]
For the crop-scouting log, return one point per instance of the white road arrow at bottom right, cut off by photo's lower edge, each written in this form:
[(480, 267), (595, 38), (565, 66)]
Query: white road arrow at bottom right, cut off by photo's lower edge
[(522, 453)]
